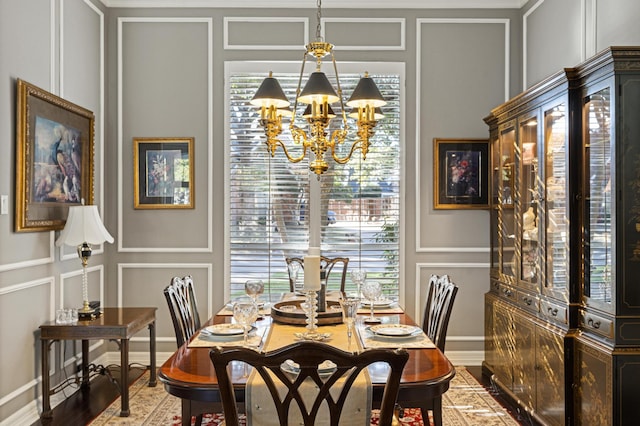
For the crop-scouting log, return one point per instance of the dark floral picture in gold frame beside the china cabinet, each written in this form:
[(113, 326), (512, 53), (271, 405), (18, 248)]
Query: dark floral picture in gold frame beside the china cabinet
[(461, 173)]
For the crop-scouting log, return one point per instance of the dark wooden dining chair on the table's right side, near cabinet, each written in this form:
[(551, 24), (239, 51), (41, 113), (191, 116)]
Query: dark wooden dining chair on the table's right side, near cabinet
[(440, 297)]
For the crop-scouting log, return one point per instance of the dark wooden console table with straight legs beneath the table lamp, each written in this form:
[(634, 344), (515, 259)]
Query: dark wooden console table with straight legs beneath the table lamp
[(113, 324)]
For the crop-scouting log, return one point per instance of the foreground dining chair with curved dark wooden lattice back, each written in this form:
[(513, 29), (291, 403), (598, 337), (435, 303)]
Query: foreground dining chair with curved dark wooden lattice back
[(285, 388)]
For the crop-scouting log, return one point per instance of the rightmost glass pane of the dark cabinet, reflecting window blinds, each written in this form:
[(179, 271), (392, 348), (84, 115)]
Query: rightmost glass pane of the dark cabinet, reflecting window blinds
[(598, 244)]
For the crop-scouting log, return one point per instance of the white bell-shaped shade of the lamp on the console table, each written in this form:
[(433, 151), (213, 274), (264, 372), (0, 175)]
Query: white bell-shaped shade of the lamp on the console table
[(83, 226)]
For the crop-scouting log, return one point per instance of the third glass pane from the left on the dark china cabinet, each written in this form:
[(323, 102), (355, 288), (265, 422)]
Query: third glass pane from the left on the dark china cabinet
[(555, 205)]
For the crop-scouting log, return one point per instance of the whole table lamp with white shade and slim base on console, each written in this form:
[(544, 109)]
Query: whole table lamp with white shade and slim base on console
[(82, 229)]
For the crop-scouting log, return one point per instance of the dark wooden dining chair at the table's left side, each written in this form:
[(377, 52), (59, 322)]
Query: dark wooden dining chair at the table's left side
[(183, 307)]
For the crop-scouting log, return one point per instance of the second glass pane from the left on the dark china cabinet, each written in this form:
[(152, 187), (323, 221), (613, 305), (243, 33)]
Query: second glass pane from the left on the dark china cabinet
[(529, 197)]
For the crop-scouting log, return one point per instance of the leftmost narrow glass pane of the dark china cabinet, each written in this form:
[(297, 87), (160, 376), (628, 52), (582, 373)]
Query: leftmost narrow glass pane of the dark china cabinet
[(506, 219)]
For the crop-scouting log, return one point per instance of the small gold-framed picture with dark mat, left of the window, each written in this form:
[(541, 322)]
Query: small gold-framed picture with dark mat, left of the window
[(163, 173)]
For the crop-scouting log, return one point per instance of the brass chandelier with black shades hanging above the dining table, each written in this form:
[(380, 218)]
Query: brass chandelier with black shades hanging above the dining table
[(318, 95)]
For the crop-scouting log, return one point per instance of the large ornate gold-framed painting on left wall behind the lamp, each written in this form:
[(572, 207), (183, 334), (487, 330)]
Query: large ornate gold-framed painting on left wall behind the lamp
[(54, 158)]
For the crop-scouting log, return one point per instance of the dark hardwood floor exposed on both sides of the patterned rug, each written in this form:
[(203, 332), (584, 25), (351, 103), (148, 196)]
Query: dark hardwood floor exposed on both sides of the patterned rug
[(84, 405)]
